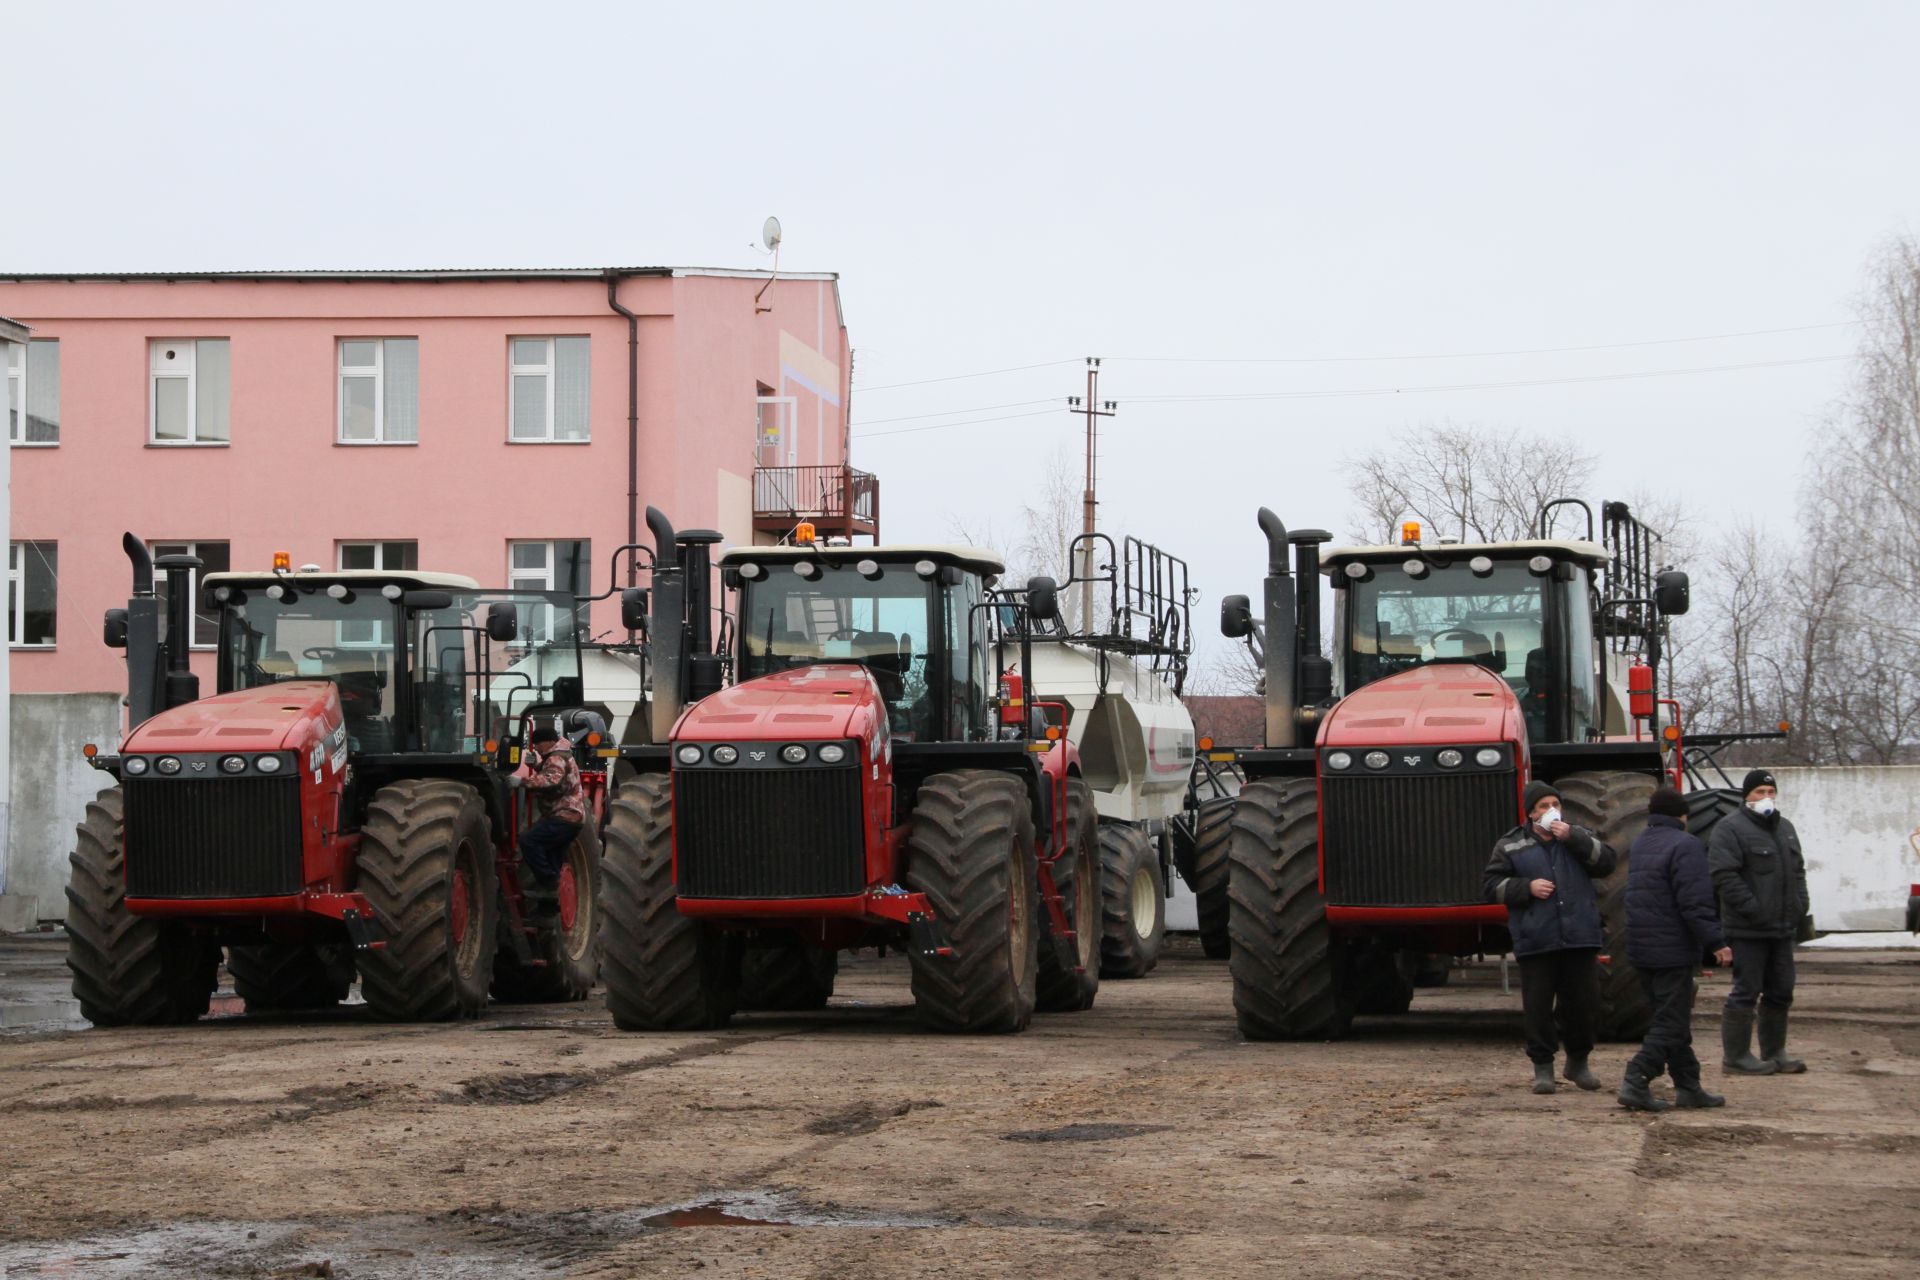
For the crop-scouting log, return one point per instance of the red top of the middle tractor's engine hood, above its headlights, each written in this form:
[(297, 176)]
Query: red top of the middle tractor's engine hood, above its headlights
[(809, 703)]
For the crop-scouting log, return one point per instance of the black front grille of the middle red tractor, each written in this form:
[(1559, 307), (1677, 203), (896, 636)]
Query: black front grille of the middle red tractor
[(769, 834)]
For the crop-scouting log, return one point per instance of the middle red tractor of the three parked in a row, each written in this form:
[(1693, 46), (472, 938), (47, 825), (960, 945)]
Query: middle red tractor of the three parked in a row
[(859, 784)]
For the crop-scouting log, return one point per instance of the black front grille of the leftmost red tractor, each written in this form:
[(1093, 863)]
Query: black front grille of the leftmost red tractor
[(214, 838)]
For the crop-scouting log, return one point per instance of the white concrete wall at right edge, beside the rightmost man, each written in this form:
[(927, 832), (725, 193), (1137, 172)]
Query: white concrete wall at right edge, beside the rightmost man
[(1861, 832)]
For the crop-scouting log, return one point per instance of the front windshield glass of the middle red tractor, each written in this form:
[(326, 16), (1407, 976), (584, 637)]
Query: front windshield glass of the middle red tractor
[(882, 623)]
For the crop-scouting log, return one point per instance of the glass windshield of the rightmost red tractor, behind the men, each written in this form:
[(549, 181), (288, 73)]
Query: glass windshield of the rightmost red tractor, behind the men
[(1397, 623)]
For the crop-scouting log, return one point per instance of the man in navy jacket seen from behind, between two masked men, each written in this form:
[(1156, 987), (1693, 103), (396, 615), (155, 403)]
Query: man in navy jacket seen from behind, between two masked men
[(1669, 924)]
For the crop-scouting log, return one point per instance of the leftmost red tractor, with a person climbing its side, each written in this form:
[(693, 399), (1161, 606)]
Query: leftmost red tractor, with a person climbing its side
[(339, 807)]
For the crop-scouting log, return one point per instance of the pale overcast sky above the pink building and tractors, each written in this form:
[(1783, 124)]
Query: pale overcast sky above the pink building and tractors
[(1222, 201)]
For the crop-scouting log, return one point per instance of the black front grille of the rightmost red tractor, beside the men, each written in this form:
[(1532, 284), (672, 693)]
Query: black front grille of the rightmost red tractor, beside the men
[(1414, 840)]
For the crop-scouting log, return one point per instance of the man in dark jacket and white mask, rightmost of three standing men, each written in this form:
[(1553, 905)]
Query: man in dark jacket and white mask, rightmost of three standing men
[(1762, 878)]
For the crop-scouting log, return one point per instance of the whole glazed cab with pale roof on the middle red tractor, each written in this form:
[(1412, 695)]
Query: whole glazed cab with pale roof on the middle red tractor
[(911, 617)]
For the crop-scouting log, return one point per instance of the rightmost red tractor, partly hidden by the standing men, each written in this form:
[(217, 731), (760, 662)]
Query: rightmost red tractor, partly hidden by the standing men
[(1460, 673)]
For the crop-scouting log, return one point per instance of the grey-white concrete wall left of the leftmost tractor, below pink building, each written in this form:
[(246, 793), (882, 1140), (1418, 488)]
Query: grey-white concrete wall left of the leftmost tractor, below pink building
[(53, 786)]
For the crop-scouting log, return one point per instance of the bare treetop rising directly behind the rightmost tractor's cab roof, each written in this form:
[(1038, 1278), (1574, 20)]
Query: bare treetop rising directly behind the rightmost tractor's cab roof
[(1462, 481)]
